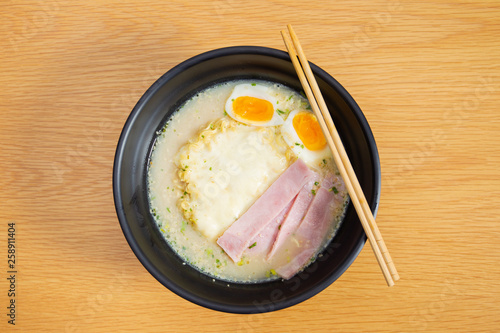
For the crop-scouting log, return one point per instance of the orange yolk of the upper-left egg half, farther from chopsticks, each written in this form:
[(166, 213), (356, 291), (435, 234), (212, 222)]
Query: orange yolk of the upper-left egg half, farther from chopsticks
[(253, 108)]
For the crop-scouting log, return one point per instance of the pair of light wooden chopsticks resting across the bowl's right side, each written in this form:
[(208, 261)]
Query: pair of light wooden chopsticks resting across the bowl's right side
[(340, 156)]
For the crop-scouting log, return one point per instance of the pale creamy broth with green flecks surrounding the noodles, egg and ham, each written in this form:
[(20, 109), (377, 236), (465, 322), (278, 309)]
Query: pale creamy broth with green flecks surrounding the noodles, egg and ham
[(165, 188)]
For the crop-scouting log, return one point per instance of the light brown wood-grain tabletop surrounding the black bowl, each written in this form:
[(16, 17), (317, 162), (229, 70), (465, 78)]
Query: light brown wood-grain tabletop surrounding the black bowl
[(426, 75)]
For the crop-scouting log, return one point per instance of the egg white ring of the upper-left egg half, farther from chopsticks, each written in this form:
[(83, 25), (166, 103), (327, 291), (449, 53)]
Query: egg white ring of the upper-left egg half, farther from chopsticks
[(257, 91)]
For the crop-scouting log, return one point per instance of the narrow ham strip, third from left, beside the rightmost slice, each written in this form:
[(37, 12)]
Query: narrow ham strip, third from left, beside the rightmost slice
[(295, 215)]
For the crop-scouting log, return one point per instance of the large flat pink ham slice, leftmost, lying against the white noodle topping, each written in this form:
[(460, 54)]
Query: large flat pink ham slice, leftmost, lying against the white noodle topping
[(237, 238)]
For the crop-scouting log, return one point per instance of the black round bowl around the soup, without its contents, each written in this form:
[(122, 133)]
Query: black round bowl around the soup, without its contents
[(130, 190)]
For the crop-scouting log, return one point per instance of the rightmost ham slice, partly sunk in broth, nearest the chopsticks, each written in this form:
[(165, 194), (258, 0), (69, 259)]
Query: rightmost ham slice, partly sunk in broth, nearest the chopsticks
[(309, 236)]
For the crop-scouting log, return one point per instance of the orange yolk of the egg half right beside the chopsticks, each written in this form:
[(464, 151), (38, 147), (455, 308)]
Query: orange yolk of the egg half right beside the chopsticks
[(307, 128)]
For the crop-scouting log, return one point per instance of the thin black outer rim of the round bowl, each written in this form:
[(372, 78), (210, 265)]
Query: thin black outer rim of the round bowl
[(216, 53)]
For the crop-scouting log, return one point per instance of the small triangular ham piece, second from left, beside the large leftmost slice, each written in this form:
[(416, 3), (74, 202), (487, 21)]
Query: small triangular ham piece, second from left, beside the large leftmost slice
[(267, 237)]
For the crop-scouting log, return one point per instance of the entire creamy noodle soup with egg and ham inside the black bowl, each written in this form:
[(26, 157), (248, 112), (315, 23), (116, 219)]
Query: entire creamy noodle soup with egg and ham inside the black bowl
[(220, 182)]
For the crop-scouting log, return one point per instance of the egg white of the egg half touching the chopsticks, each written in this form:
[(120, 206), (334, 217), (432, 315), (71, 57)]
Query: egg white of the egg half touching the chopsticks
[(310, 157)]
